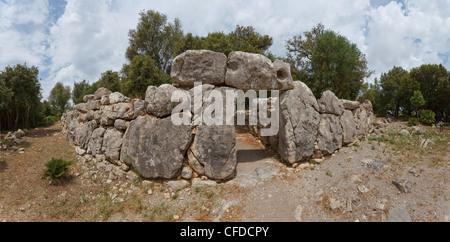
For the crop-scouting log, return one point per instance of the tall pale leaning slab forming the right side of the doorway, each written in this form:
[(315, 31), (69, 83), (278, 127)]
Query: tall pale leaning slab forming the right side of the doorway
[(299, 120)]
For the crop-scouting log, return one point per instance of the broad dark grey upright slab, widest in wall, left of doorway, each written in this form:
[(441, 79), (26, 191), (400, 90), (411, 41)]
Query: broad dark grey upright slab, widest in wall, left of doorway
[(156, 148)]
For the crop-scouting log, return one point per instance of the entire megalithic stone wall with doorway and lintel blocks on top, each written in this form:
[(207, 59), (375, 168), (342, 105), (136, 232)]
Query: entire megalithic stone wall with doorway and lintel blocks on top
[(139, 134)]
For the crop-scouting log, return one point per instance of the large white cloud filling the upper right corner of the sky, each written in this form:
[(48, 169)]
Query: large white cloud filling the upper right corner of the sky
[(408, 35)]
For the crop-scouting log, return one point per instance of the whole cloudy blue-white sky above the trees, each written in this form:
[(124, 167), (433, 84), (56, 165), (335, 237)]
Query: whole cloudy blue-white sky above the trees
[(79, 39)]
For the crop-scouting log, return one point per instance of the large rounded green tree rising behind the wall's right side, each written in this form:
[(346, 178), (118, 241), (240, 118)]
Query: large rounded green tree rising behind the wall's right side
[(325, 60)]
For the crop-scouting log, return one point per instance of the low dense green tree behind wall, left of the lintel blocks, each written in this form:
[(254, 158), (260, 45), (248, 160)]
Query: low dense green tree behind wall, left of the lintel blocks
[(142, 72)]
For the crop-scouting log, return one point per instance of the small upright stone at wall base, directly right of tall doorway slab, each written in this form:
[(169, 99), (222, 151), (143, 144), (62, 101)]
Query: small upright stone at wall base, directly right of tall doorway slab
[(329, 137)]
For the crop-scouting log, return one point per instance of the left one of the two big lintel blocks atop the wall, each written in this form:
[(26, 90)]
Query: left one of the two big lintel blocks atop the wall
[(203, 66)]
